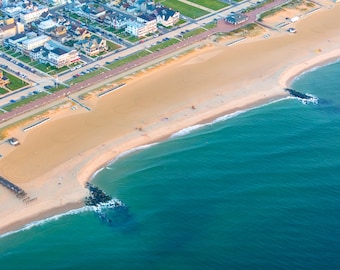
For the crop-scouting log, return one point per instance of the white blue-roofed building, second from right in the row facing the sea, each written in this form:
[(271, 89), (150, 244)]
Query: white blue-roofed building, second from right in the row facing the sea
[(145, 24)]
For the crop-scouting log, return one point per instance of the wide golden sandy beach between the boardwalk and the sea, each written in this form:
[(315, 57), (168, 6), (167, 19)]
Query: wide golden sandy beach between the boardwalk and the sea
[(56, 159)]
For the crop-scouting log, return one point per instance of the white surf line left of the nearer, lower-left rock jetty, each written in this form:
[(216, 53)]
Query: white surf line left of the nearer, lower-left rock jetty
[(49, 219)]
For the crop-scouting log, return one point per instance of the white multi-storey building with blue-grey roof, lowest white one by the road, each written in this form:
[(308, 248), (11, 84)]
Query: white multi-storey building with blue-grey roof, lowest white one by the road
[(59, 57)]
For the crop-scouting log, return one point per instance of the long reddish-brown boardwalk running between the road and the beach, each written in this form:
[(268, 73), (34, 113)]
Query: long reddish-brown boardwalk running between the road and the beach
[(221, 27)]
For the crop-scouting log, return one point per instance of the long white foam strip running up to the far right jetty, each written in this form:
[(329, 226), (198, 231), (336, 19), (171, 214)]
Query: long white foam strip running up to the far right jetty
[(188, 130)]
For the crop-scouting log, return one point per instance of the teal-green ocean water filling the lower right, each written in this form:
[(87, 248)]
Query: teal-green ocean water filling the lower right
[(257, 190)]
